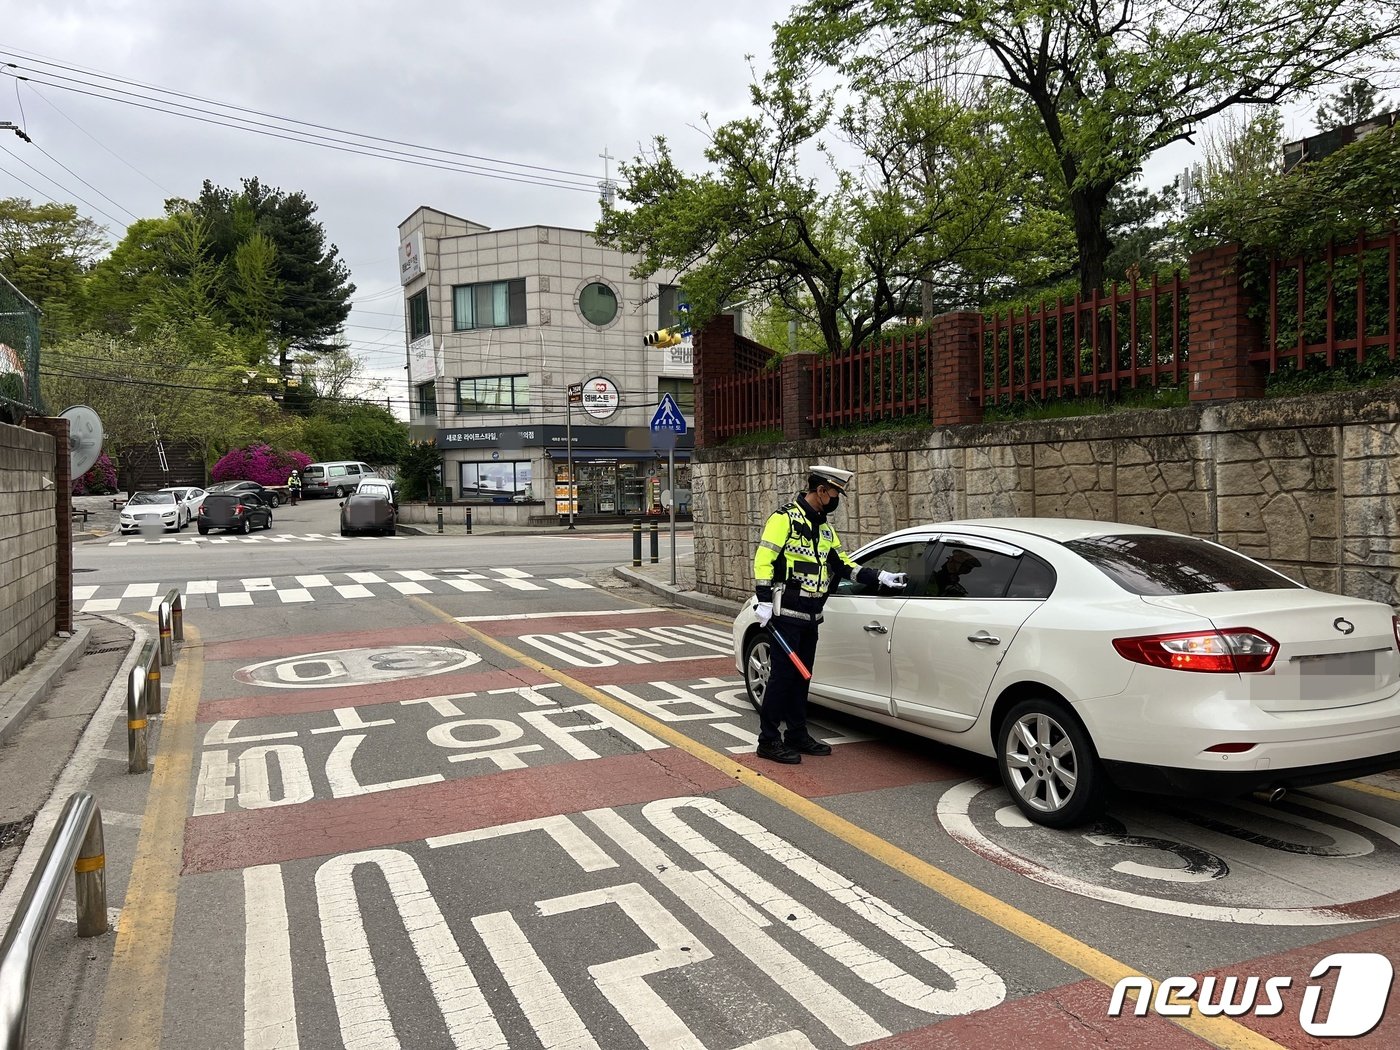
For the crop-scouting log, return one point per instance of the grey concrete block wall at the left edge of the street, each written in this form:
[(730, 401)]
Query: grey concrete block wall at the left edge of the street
[(29, 549)]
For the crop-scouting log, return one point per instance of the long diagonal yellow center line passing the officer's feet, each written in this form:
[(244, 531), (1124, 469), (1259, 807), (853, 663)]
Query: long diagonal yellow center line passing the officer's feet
[(1219, 1031)]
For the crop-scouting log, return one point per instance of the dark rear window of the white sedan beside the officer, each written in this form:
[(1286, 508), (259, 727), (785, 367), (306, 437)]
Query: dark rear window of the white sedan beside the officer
[(1151, 565)]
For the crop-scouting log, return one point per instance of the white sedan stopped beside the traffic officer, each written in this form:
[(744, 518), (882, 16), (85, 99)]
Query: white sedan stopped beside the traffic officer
[(1087, 654)]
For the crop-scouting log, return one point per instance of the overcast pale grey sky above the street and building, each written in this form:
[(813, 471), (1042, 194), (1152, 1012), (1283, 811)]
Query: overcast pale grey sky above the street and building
[(547, 83)]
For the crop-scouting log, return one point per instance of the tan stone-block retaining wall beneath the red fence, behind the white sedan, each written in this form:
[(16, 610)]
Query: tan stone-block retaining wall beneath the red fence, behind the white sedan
[(1307, 485)]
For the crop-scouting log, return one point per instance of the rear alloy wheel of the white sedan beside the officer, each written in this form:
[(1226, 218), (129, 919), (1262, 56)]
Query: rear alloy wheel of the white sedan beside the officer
[(1049, 764)]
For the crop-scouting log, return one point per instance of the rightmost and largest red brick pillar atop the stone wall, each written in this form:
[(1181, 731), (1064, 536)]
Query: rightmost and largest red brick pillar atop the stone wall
[(1223, 335)]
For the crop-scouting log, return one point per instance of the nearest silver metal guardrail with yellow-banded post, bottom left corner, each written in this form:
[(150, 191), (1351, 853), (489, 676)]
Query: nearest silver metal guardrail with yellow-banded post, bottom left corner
[(76, 843)]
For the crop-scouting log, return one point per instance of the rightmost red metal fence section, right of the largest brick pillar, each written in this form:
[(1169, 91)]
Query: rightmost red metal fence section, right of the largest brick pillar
[(1343, 303)]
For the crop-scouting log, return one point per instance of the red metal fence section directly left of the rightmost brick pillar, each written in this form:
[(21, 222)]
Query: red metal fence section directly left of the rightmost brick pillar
[(1129, 338)]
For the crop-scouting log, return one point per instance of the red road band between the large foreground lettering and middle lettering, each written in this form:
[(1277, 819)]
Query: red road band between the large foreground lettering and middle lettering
[(227, 842)]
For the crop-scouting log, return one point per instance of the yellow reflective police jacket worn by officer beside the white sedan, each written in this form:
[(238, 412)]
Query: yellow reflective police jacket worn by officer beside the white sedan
[(801, 552)]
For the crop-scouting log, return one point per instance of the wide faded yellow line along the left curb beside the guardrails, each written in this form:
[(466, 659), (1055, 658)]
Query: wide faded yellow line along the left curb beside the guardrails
[(134, 1002)]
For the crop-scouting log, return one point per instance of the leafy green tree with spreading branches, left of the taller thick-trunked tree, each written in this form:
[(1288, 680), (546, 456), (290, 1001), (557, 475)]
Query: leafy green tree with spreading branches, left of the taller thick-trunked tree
[(845, 258)]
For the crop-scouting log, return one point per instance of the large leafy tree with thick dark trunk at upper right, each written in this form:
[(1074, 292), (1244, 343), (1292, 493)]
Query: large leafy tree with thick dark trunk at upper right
[(1109, 85)]
